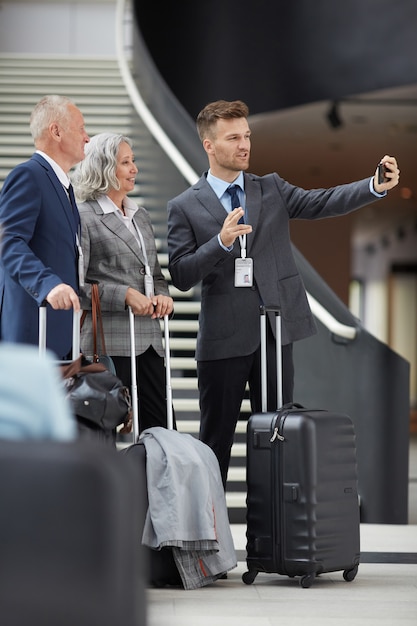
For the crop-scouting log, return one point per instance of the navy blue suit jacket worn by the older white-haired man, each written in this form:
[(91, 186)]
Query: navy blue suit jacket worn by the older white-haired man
[(38, 251)]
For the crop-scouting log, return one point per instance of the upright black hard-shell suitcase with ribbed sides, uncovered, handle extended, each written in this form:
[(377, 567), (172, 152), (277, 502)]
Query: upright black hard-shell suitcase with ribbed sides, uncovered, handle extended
[(302, 496)]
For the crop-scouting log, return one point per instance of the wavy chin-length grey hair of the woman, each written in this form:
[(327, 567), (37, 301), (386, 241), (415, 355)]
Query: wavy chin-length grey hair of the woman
[(96, 174)]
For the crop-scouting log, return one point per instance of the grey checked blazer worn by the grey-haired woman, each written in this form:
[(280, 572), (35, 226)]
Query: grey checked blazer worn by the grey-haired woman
[(113, 258)]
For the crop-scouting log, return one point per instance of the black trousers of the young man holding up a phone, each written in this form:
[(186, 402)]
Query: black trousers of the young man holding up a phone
[(222, 387)]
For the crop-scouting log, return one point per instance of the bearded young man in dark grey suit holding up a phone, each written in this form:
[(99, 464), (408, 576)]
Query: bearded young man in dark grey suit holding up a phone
[(242, 265)]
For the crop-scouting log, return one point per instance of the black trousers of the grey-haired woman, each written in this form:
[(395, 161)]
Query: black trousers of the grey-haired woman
[(151, 384)]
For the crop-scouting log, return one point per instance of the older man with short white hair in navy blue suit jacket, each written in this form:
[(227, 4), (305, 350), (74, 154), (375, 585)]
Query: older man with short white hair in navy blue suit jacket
[(39, 223)]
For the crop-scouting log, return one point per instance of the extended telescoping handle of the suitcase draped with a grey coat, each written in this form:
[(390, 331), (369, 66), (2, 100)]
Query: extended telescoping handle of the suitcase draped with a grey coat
[(170, 417)]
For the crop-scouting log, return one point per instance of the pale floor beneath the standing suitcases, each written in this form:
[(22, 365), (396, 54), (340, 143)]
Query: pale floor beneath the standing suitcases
[(384, 593)]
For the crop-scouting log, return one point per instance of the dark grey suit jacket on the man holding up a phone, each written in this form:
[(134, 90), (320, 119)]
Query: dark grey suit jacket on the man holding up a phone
[(229, 318)]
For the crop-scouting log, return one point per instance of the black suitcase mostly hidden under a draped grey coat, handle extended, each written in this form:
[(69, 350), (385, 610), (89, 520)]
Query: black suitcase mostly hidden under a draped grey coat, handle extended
[(161, 568)]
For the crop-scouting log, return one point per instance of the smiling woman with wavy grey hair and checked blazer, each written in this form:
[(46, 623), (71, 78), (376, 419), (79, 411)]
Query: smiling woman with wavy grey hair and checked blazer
[(120, 255)]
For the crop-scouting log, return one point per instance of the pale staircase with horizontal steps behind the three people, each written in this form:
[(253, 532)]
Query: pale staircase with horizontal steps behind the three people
[(96, 87)]
